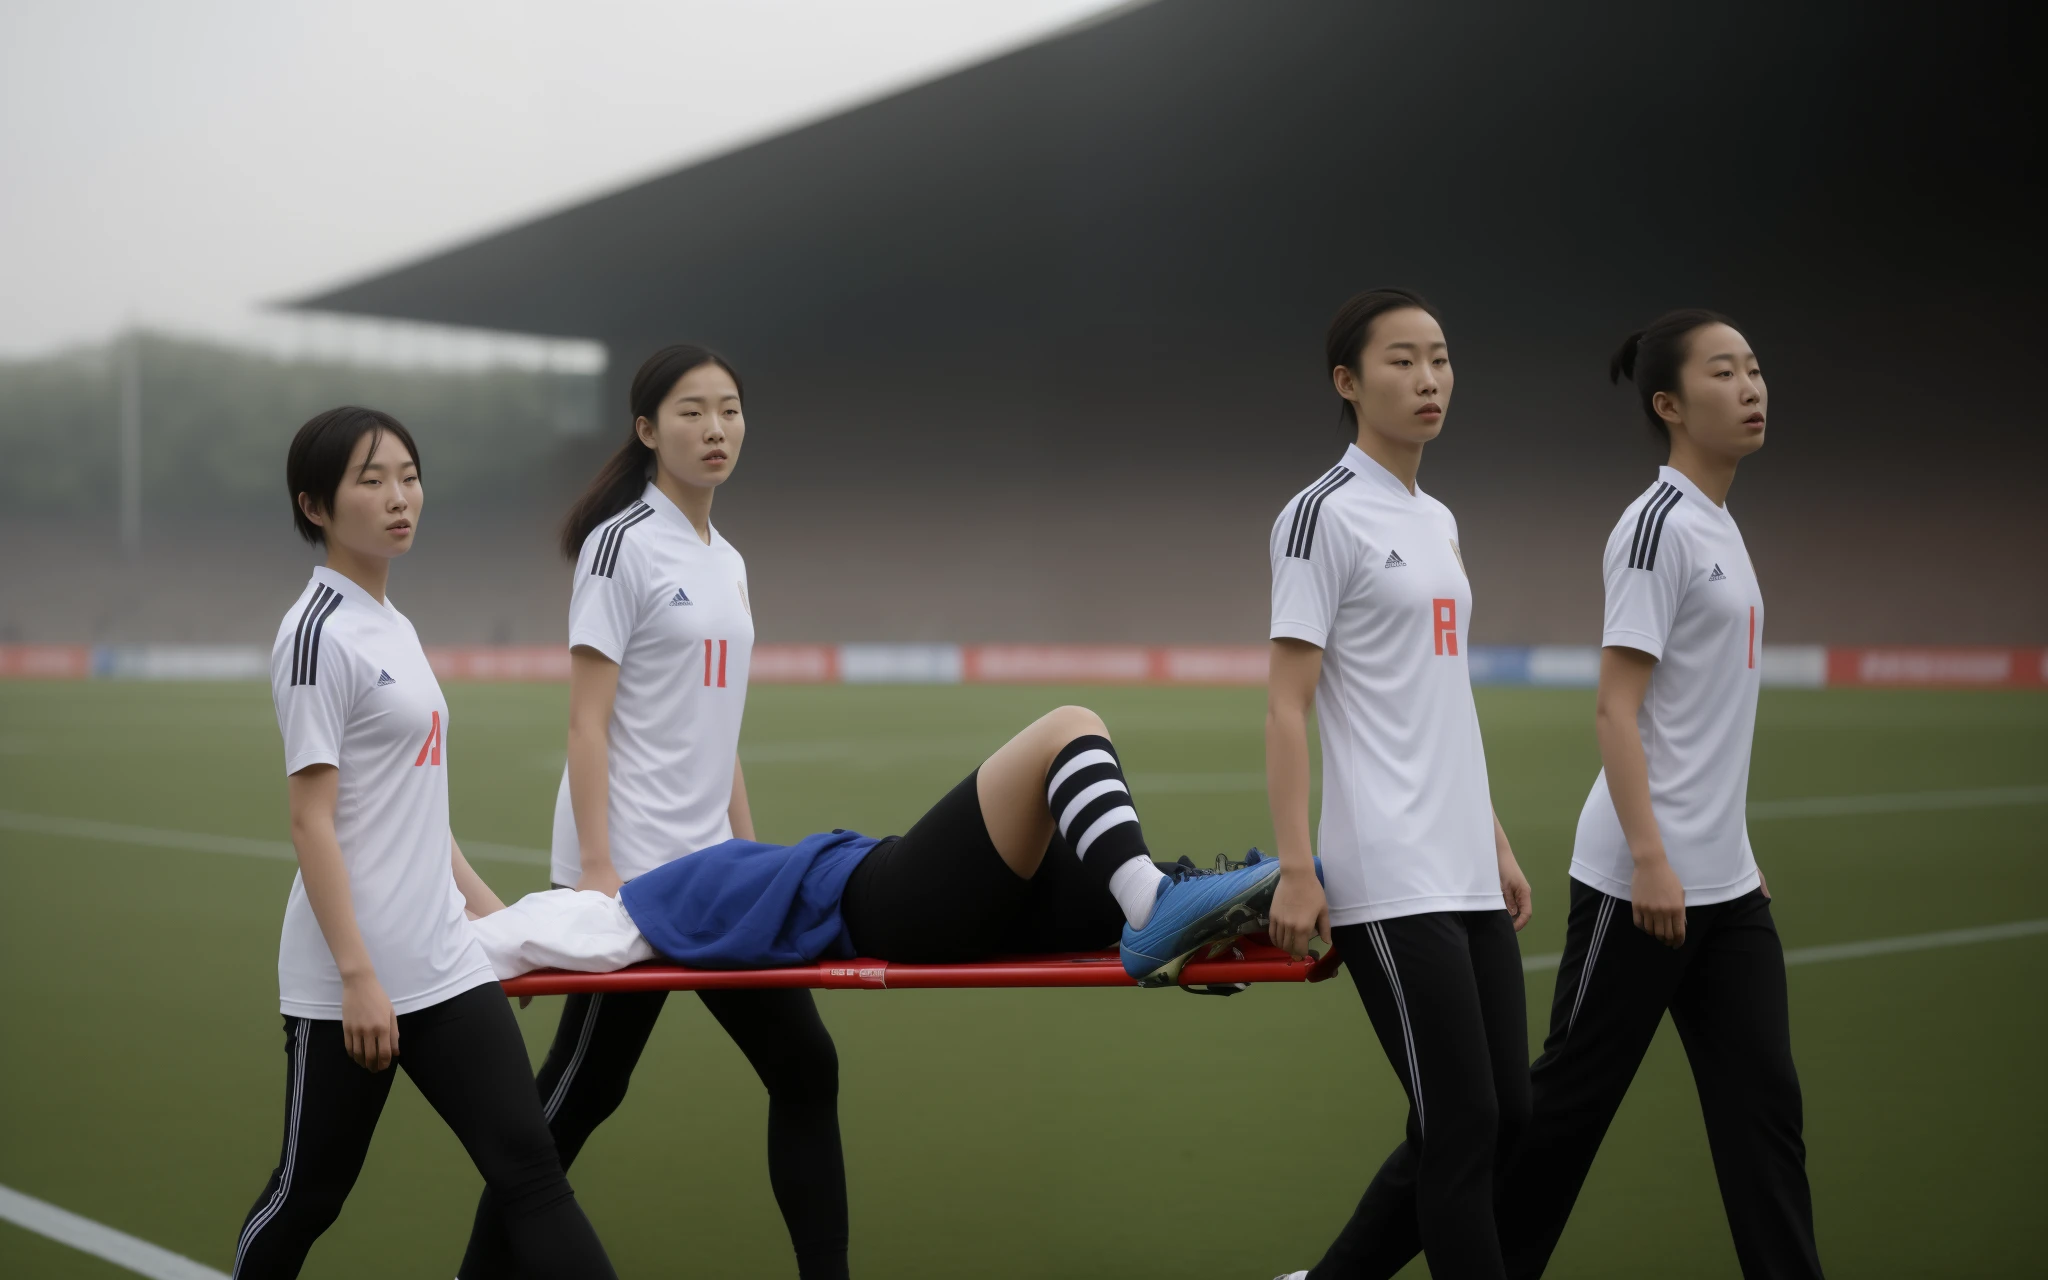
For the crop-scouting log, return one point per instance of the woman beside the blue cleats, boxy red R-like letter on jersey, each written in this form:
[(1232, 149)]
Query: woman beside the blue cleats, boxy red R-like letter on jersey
[(1371, 613)]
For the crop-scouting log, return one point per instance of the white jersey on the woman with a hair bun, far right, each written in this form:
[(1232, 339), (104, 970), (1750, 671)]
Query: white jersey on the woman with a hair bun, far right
[(1680, 589)]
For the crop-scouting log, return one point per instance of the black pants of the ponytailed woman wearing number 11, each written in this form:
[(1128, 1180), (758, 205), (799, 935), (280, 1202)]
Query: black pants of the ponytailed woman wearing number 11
[(591, 1064)]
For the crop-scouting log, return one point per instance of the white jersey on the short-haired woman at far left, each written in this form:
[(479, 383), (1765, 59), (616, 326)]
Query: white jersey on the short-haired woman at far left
[(353, 689)]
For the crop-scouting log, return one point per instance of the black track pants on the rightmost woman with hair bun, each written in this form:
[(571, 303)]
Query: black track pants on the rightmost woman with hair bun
[(1727, 996)]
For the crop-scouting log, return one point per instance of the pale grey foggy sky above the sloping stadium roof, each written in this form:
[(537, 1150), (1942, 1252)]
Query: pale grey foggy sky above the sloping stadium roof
[(183, 165)]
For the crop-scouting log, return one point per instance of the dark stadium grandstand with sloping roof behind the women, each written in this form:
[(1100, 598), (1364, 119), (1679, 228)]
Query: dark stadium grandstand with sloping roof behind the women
[(1035, 349)]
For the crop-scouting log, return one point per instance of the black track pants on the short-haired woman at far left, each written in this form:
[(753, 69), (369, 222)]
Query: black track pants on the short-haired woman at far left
[(468, 1058)]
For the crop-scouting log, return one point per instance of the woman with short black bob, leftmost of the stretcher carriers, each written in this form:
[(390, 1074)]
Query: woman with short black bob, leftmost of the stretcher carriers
[(378, 966)]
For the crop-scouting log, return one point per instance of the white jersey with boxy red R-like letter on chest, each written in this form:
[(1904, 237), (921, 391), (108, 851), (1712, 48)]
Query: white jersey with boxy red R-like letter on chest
[(1373, 577)]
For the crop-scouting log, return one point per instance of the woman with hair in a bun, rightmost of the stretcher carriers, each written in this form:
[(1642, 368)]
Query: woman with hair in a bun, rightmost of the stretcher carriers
[(1668, 908)]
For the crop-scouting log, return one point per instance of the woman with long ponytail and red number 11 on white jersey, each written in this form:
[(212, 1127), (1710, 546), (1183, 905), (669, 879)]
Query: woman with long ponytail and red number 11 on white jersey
[(660, 640)]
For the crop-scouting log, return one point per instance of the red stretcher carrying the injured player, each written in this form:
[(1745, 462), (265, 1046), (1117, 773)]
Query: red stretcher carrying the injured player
[(1248, 962)]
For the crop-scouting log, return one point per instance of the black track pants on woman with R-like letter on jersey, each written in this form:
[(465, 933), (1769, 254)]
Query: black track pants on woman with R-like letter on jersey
[(1445, 996)]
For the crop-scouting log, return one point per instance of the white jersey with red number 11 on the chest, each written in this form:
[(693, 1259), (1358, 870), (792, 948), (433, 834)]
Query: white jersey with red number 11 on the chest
[(675, 615)]
